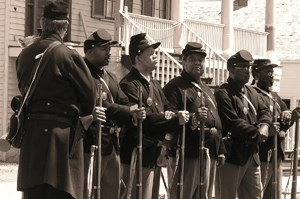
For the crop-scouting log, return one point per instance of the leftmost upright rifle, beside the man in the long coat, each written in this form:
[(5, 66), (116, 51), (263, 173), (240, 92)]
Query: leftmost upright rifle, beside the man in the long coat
[(94, 176)]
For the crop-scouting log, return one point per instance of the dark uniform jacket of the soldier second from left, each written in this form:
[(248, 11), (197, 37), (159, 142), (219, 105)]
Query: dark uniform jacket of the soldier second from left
[(117, 113)]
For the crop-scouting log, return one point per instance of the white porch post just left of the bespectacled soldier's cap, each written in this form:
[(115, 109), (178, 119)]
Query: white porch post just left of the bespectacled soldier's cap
[(228, 32)]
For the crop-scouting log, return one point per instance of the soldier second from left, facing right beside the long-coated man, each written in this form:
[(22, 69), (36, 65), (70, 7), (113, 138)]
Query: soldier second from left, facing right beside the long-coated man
[(118, 112)]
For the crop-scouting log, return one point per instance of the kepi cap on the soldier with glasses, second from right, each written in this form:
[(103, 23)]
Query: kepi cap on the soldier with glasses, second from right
[(242, 58)]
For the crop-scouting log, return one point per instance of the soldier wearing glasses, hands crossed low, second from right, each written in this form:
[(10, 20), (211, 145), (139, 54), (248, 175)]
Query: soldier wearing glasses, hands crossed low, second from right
[(245, 124)]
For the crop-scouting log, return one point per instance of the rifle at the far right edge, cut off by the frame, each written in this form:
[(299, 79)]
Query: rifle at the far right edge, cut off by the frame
[(295, 116)]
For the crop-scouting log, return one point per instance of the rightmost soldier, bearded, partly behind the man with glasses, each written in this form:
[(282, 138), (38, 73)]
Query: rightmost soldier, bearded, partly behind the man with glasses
[(263, 74)]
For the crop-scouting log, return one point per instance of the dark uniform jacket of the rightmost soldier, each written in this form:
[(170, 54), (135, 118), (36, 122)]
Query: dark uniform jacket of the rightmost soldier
[(279, 107)]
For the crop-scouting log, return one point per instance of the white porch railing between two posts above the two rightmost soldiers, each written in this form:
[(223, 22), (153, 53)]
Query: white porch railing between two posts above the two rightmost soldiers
[(253, 41)]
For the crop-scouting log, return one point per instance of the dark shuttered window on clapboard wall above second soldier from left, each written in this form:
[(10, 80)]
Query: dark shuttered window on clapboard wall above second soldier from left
[(103, 9)]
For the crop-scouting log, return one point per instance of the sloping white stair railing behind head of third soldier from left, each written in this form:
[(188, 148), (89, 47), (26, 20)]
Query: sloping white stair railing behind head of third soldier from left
[(167, 68)]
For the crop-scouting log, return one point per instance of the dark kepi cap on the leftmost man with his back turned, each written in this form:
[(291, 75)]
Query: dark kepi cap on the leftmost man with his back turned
[(56, 10)]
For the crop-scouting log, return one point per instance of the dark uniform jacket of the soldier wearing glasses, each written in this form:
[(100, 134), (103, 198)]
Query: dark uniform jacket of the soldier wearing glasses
[(242, 127)]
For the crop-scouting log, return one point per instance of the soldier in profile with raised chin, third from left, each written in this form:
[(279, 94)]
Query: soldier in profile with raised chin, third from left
[(160, 118)]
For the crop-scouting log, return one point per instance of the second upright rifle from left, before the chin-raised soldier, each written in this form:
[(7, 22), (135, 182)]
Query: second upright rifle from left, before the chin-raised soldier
[(139, 182)]
